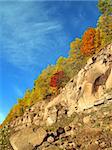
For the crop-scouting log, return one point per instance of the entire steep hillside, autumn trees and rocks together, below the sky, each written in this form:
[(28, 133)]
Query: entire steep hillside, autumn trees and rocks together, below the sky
[(70, 105)]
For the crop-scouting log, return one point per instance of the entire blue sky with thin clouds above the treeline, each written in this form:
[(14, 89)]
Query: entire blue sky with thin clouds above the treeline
[(34, 34)]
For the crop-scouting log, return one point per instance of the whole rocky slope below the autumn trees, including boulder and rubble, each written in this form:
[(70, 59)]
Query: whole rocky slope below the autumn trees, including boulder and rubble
[(72, 112)]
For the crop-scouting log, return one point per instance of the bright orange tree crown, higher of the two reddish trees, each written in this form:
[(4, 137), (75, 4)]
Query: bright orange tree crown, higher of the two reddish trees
[(87, 45)]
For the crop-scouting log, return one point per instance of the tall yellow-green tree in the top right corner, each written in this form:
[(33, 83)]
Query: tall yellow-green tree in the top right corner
[(105, 21)]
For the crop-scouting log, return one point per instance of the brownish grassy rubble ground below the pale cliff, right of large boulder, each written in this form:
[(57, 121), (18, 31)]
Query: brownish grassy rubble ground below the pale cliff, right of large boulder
[(89, 130)]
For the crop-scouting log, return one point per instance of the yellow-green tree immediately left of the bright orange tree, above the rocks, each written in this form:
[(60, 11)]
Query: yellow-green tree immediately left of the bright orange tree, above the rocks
[(76, 60)]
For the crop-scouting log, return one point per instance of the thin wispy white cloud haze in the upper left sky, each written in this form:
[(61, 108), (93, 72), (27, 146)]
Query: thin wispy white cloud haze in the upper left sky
[(24, 32)]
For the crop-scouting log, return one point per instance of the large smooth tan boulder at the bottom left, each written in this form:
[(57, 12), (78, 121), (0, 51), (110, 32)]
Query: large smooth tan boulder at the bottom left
[(27, 138)]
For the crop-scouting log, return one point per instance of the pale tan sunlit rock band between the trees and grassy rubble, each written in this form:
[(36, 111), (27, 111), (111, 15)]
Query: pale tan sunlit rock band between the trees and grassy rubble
[(90, 87)]
